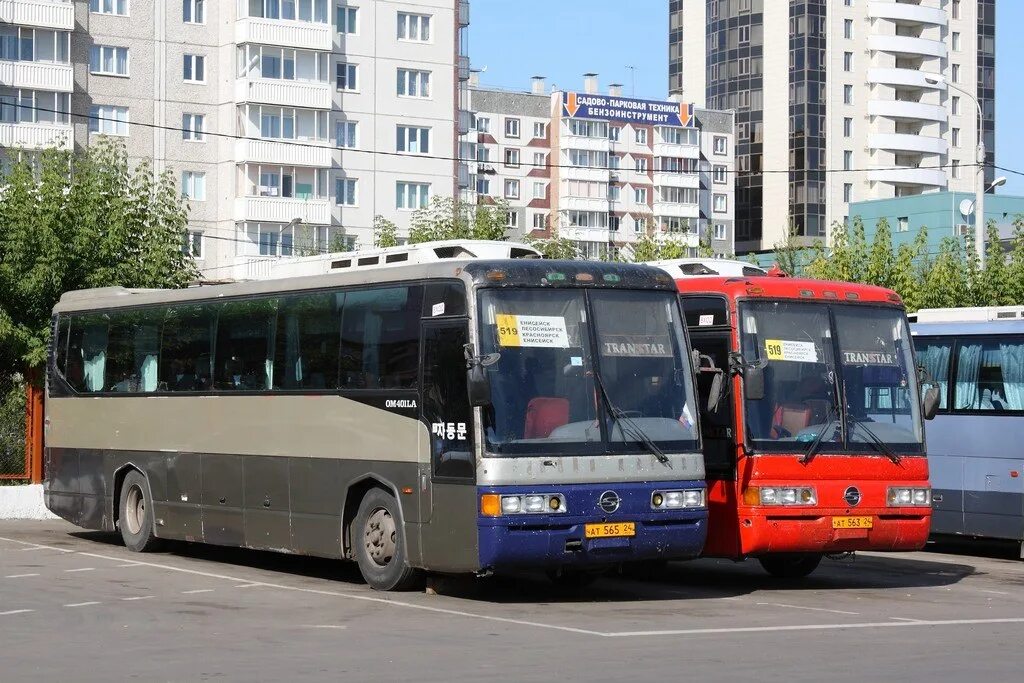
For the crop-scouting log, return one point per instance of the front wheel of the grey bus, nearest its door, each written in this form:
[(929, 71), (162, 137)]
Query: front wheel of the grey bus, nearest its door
[(379, 544)]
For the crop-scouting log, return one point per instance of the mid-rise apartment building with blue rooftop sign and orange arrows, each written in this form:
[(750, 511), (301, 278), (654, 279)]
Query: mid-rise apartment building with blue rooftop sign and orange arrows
[(605, 170)]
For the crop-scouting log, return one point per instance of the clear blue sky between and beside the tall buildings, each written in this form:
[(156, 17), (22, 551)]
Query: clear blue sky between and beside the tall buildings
[(561, 39)]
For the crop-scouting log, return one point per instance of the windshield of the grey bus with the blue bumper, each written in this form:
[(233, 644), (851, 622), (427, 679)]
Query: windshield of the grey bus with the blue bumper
[(586, 372)]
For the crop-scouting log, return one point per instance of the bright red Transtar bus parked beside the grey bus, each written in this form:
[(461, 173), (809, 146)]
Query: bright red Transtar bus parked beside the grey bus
[(817, 445)]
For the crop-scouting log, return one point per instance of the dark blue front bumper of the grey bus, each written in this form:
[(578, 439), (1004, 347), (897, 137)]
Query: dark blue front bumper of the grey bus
[(549, 541)]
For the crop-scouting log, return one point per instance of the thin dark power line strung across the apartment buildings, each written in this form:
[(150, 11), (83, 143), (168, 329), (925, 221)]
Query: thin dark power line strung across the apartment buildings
[(408, 155)]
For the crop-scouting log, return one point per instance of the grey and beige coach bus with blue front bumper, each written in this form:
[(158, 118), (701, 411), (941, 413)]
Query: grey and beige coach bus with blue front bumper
[(457, 416)]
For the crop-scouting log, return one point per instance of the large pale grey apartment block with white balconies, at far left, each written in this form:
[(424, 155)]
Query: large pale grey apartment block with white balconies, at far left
[(289, 124)]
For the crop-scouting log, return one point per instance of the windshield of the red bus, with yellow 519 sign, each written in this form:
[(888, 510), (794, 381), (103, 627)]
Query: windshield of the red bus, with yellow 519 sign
[(840, 374)]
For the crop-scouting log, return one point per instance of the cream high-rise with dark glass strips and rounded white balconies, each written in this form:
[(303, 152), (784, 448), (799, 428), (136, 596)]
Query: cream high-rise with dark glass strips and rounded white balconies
[(838, 101)]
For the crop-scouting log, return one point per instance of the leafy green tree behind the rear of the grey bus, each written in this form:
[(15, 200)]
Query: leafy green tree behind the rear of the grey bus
[(80, 221)]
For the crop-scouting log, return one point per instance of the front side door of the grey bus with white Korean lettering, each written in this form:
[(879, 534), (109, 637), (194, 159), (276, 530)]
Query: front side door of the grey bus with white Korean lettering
[(449, 533)]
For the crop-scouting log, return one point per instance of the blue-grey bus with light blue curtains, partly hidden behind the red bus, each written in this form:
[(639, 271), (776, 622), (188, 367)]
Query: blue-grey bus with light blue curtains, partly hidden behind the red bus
[(976, 357)]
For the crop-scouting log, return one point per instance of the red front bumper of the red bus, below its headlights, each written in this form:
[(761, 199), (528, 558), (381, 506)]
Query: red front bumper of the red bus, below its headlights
[(813, 532)]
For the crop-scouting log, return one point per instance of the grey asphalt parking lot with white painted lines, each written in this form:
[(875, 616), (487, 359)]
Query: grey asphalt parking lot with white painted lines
[(76, 606)]
